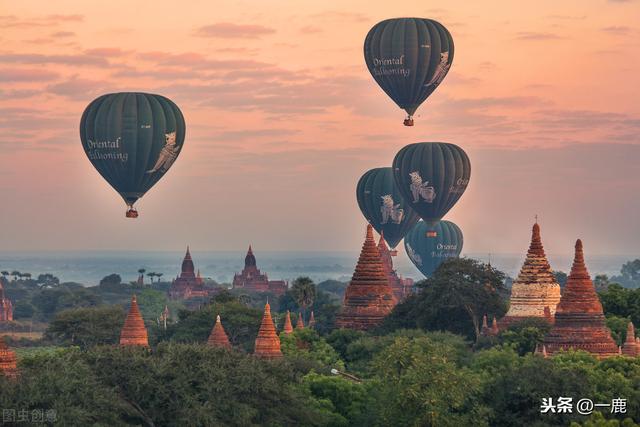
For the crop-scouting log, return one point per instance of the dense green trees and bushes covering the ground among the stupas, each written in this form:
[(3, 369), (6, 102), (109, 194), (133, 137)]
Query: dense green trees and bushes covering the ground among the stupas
[(425, 366)]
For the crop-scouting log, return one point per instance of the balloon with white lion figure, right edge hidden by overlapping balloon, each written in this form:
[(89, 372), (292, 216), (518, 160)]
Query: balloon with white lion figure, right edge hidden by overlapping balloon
[(383, 206)]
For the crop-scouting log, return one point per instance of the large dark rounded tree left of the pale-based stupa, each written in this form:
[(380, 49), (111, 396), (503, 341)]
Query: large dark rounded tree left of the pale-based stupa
[(455, 298)]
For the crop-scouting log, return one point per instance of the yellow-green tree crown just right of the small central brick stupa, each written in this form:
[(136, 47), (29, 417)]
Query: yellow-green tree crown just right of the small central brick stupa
[(306, 343)]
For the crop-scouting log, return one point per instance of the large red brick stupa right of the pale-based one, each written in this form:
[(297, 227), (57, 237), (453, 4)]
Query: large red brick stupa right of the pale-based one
[(579, 320)]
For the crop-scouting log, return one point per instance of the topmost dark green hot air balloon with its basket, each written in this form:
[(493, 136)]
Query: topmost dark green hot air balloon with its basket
[(408, 58)]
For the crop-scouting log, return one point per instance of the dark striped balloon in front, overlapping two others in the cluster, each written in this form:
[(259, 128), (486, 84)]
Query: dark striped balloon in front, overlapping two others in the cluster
[(431, 176)]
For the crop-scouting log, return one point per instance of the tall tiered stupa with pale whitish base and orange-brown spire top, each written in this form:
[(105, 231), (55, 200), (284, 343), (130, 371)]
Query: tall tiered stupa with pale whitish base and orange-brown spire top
[(535, 293)]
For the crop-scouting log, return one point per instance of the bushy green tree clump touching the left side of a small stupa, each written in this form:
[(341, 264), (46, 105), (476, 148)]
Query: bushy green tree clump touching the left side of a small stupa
[(86, 327)]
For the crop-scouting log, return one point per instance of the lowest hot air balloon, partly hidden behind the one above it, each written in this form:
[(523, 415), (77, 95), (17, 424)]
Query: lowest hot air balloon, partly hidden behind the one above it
[(429, 245)]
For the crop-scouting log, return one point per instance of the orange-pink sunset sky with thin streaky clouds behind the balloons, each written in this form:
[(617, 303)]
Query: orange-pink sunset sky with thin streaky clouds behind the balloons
[(283, 118)]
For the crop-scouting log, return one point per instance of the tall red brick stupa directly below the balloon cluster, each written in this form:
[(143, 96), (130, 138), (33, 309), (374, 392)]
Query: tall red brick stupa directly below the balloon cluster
[(368, 297)]
